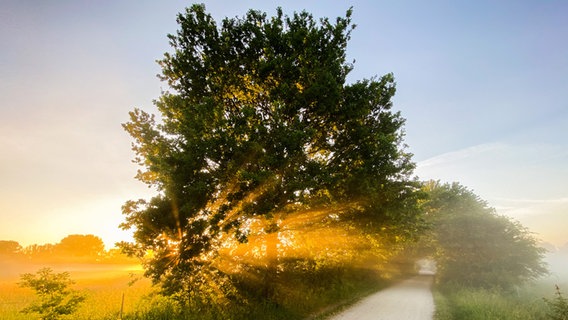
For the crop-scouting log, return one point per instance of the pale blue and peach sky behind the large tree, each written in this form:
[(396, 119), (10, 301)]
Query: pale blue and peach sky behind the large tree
[(483, 86)]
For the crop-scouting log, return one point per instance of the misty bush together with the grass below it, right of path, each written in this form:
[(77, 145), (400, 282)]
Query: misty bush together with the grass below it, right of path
[(489, 266)]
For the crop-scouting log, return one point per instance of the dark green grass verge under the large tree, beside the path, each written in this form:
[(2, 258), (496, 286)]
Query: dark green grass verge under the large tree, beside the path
[(293, 298)]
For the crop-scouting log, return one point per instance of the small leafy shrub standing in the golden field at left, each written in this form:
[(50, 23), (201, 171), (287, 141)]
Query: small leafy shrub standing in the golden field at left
[(55, 299)]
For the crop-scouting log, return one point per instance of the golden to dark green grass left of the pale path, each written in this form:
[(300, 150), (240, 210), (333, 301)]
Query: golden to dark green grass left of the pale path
[(309, 295)]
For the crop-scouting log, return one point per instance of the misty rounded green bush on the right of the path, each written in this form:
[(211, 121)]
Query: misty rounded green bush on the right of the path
[(475, 247)]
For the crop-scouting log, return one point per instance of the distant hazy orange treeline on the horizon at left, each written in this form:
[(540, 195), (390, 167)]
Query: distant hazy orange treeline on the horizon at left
[(73, 248)]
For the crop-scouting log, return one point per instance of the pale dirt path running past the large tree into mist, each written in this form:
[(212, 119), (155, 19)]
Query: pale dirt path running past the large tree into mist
[(409, 300)]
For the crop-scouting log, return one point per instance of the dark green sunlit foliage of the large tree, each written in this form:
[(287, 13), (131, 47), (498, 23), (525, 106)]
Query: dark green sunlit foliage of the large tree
[(257, 121)]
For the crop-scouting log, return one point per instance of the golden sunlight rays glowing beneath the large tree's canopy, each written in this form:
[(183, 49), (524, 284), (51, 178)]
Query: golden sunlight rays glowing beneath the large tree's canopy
[(314, 238)]
